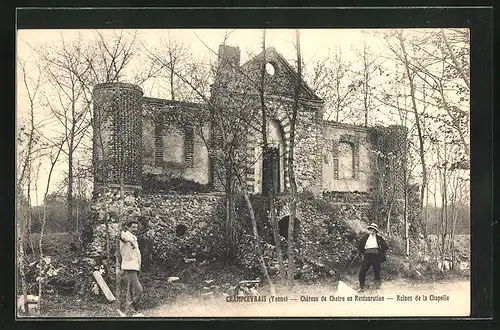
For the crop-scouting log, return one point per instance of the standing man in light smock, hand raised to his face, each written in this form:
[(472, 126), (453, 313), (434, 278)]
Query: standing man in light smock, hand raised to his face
[(131, 265)]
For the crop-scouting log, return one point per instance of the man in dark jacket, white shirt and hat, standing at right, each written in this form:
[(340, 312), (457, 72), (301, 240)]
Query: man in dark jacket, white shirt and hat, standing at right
[(372, 247)]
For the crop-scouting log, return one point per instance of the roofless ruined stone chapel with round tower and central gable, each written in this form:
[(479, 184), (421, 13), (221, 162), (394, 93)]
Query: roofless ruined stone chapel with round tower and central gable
[(165, 140)]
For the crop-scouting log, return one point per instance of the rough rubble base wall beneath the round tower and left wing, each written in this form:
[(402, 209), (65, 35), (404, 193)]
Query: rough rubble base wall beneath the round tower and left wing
[(176, 226)]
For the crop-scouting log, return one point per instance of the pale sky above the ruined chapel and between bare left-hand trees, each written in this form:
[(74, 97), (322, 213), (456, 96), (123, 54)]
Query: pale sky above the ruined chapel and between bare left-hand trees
[(202, 43)]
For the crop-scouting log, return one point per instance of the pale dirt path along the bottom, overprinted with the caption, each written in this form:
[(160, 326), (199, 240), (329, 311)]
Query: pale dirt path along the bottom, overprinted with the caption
[(395, 298)]
